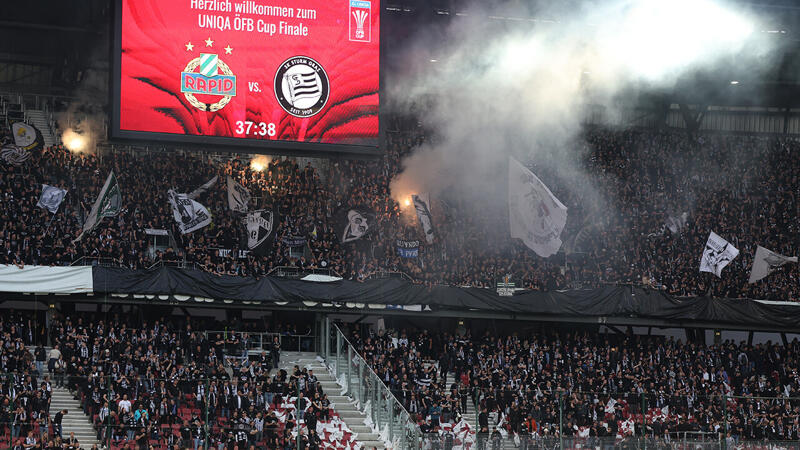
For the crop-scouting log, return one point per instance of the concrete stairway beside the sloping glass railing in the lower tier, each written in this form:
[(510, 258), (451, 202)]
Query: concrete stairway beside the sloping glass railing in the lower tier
[(341, 404)]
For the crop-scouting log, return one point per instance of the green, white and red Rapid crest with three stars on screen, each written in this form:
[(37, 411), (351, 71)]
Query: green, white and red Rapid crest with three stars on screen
[(207, 74)]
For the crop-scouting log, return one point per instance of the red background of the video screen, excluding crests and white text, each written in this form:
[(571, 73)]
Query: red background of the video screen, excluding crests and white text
[(154, 38)]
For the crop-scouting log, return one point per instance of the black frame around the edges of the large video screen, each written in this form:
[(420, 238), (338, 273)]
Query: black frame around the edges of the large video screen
[(231, 144)]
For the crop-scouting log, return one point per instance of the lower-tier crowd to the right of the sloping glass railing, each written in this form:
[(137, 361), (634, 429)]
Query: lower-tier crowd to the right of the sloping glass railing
[(599, 386)]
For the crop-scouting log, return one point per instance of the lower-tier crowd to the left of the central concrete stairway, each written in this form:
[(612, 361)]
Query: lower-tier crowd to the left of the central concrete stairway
[(155, 386)]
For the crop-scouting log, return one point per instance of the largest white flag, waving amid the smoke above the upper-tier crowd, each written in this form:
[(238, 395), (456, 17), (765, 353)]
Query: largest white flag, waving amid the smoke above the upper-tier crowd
[(535, 214)]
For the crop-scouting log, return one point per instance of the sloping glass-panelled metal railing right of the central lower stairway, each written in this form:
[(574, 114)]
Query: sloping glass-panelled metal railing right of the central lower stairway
[(392, 421)]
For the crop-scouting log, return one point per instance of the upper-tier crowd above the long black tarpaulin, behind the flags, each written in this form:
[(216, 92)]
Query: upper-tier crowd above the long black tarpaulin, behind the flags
[(741, 187)]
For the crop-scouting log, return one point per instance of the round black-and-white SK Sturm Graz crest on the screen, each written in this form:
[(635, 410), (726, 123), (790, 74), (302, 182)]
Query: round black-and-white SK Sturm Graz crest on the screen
[(301, 86)]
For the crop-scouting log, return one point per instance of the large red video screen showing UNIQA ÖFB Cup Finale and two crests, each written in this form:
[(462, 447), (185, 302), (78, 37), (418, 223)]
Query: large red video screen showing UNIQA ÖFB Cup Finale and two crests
[(295, 74)]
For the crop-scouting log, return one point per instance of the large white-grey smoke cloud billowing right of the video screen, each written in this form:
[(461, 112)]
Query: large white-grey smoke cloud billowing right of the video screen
[(502, 88)]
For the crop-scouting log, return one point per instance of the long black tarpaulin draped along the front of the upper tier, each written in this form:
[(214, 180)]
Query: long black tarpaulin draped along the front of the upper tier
[(617, 301)]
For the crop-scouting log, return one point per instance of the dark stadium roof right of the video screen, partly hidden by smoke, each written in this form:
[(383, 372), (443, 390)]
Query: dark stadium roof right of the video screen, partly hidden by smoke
[(771, 80)]
